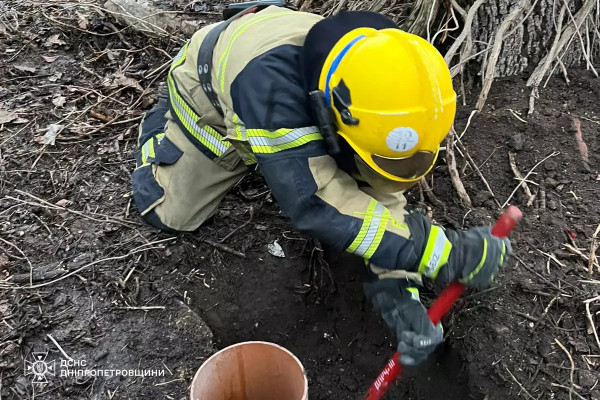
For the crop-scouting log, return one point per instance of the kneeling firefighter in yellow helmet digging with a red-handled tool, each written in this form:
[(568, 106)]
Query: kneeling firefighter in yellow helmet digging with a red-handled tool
[(340, 115)]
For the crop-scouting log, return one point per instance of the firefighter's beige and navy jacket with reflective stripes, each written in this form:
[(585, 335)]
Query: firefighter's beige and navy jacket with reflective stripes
[(263, 66)]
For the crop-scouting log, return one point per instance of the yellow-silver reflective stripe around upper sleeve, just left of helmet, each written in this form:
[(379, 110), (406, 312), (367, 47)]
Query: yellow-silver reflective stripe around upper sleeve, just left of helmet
[(264, 141)]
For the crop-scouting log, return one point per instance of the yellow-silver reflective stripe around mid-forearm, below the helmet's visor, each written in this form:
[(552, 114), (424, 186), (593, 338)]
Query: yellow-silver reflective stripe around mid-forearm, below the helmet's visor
[(371, 232)]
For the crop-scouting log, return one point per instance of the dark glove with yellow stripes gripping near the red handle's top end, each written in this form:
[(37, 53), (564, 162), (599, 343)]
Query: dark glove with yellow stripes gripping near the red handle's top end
[(475, 257)]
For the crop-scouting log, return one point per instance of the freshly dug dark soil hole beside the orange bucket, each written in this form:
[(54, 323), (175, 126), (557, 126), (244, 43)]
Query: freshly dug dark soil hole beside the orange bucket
[(341, 342)]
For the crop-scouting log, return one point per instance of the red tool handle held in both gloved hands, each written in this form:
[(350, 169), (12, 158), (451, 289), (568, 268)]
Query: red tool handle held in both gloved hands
[(502, 228)]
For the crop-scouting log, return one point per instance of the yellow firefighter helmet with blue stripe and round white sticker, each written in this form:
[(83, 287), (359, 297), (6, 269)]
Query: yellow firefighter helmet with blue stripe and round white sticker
[(391, 93)]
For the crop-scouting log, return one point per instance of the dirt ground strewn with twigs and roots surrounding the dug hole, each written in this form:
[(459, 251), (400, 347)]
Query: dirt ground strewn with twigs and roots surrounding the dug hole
[(82, 277)]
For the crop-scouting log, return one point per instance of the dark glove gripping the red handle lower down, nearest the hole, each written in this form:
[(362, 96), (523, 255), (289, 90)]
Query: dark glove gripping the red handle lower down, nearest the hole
[(403, 312)]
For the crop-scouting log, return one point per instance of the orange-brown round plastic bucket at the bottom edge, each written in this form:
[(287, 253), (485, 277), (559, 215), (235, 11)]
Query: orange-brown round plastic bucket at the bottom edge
[(251, 371)]
